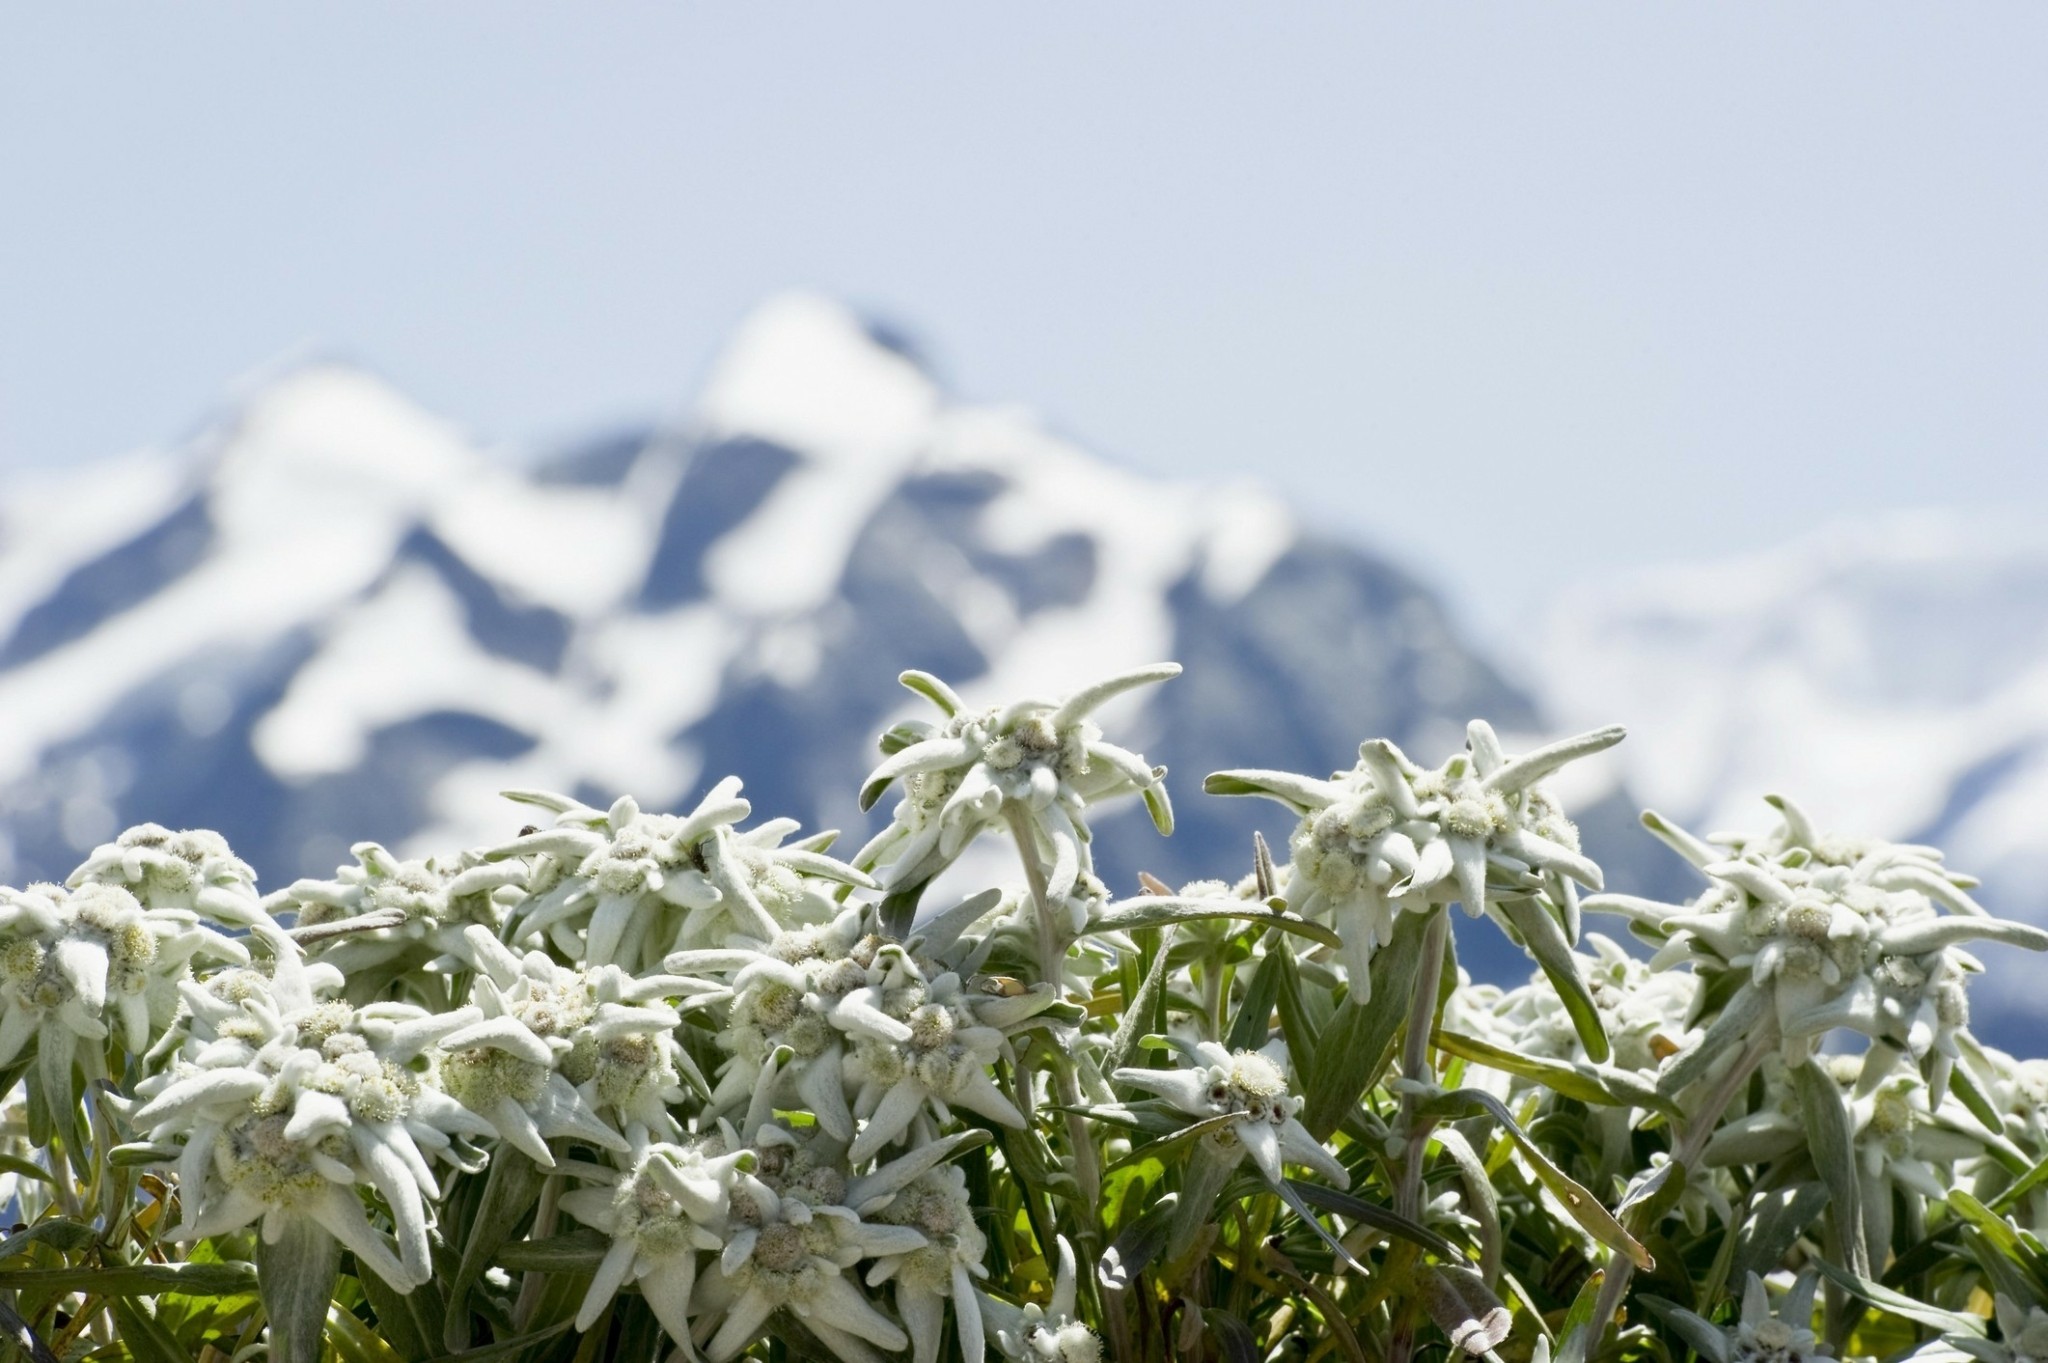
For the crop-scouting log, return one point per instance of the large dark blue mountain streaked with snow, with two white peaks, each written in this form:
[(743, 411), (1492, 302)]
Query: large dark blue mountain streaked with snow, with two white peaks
[(335, 619)]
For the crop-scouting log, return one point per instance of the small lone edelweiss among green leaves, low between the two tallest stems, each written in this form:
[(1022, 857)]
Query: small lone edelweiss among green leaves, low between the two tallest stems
[(1252, 1090)]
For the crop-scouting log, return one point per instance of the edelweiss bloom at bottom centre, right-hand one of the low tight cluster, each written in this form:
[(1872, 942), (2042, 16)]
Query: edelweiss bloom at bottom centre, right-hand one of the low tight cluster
[(937, 1206)]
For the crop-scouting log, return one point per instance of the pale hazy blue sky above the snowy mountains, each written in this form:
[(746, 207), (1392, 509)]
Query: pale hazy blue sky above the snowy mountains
[(1492, 285)]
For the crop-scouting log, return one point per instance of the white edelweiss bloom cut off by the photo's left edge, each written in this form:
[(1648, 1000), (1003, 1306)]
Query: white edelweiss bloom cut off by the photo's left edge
[(75, 965)]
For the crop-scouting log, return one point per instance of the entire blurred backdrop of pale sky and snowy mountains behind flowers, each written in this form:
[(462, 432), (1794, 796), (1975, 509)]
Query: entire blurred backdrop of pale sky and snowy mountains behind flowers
[(1383, 365)]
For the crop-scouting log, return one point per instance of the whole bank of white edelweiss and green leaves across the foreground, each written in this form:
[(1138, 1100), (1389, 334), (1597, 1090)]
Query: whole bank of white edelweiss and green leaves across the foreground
[(644, 1086)]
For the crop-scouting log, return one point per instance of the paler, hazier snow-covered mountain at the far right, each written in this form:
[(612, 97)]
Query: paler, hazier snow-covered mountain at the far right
[(1891, 676)]
